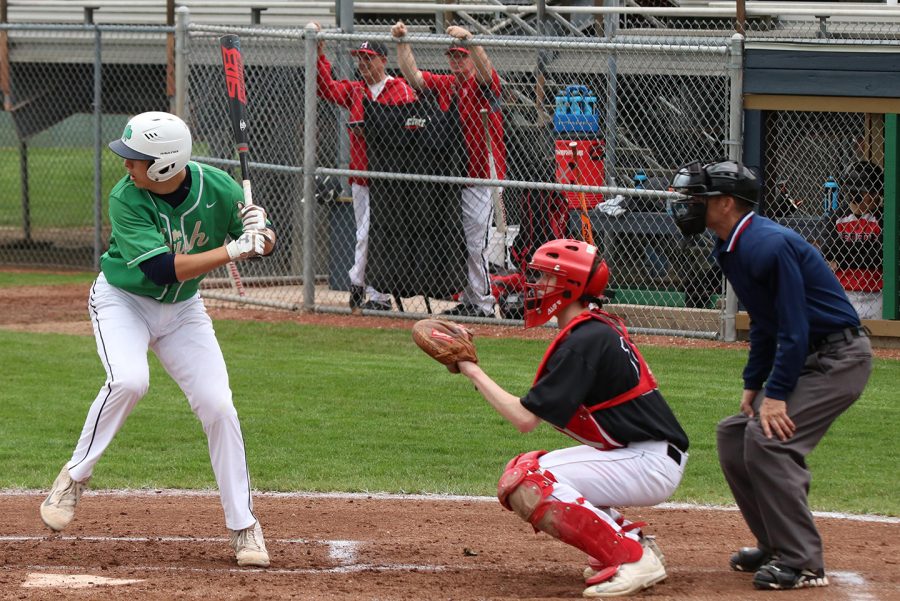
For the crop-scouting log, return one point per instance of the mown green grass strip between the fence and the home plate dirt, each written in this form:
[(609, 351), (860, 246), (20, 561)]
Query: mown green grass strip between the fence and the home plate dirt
[(364, 410)]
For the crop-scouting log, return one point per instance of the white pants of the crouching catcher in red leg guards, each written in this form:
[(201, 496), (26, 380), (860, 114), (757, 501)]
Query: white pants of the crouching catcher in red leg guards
[(639, 475)]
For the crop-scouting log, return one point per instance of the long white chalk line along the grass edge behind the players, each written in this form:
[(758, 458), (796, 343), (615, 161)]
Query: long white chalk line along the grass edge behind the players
[(171, 492)]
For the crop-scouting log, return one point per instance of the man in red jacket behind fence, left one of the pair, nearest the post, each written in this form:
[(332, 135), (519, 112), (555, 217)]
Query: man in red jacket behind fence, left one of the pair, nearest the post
[(371, 58)]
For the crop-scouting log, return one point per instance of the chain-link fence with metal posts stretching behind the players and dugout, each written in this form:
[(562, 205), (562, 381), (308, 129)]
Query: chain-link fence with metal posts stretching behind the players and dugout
[(589, 118)]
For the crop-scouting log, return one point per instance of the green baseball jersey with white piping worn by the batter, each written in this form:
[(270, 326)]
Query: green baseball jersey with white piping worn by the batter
[(144, 226)]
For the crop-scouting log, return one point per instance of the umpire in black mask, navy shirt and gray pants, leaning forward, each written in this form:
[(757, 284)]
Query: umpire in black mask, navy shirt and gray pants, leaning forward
[(809, 361)]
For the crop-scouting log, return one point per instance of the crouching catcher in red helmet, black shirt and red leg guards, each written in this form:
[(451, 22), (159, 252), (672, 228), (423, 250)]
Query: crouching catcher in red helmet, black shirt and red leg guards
[(595, 386)]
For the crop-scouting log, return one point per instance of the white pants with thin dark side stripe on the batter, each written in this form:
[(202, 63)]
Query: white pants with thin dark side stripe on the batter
[(182, 337)]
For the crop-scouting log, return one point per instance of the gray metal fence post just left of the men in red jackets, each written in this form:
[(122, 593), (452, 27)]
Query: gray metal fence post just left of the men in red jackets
[(309, 168)]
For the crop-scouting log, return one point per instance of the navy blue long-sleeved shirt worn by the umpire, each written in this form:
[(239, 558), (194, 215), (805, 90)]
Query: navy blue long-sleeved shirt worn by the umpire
[(791, 294)]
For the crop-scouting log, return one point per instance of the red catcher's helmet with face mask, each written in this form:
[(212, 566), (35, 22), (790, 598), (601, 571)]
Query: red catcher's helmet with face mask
[(560, 273)]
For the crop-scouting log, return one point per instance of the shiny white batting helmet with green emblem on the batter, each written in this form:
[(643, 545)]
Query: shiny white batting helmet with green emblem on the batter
[(161, 138)]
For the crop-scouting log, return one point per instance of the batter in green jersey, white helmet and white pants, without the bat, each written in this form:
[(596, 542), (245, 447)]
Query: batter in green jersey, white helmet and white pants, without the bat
[(170, 221)]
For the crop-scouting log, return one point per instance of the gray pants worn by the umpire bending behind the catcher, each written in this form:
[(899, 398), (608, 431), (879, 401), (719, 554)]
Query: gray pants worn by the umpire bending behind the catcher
[(768, 477)]
